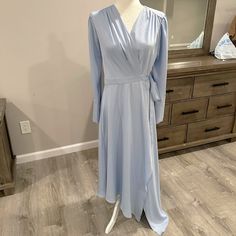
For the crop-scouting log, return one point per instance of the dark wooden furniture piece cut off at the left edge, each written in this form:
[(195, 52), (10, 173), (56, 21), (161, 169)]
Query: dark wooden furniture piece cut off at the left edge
[(7, 162)]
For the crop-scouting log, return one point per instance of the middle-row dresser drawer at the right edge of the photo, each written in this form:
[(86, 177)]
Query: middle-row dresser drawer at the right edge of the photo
[(221, 104)]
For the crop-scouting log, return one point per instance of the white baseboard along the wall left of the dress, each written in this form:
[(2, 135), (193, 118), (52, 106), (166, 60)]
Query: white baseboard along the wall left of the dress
[(55, 152)]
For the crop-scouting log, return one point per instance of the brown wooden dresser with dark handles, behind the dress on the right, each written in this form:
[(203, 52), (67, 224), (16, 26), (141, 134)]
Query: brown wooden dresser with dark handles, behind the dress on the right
[(200, 103)]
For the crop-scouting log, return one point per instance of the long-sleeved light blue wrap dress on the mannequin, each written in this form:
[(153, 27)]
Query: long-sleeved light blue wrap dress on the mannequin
[(128, 74)]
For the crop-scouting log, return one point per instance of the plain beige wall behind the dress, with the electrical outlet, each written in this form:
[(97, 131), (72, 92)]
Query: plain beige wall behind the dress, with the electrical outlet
[(45, 70)]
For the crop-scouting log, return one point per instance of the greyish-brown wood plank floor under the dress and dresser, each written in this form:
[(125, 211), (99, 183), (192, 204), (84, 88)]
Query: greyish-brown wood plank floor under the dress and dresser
[(56, 196)]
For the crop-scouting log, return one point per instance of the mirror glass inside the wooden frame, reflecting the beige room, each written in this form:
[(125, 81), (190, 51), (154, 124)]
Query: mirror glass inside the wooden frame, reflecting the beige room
[(186, 31)]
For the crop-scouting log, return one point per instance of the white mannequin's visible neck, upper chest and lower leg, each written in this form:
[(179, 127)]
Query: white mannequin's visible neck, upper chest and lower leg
[(129, 11)]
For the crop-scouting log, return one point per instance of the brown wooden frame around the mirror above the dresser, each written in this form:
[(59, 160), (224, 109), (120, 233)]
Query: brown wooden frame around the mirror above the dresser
[(206, 40)]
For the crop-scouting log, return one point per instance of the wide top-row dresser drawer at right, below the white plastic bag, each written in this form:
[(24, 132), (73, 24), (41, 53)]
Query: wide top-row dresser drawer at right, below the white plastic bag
[(214, 84)]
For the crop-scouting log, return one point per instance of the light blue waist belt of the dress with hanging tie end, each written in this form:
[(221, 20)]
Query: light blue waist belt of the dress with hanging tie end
[(135, 78)]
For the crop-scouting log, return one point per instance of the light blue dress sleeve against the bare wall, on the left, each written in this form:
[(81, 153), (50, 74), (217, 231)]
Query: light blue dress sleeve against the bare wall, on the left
[(95, 68)]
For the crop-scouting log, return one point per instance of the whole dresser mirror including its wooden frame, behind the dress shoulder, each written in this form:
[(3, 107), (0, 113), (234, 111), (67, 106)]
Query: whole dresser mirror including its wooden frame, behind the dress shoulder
[(190, 25)]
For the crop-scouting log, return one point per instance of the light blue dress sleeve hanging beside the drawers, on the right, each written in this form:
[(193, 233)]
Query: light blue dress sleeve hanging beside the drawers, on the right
[(159, 70)]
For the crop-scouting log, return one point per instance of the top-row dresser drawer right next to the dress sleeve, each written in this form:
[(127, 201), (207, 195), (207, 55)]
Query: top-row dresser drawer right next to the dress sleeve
[(177, 89)]
